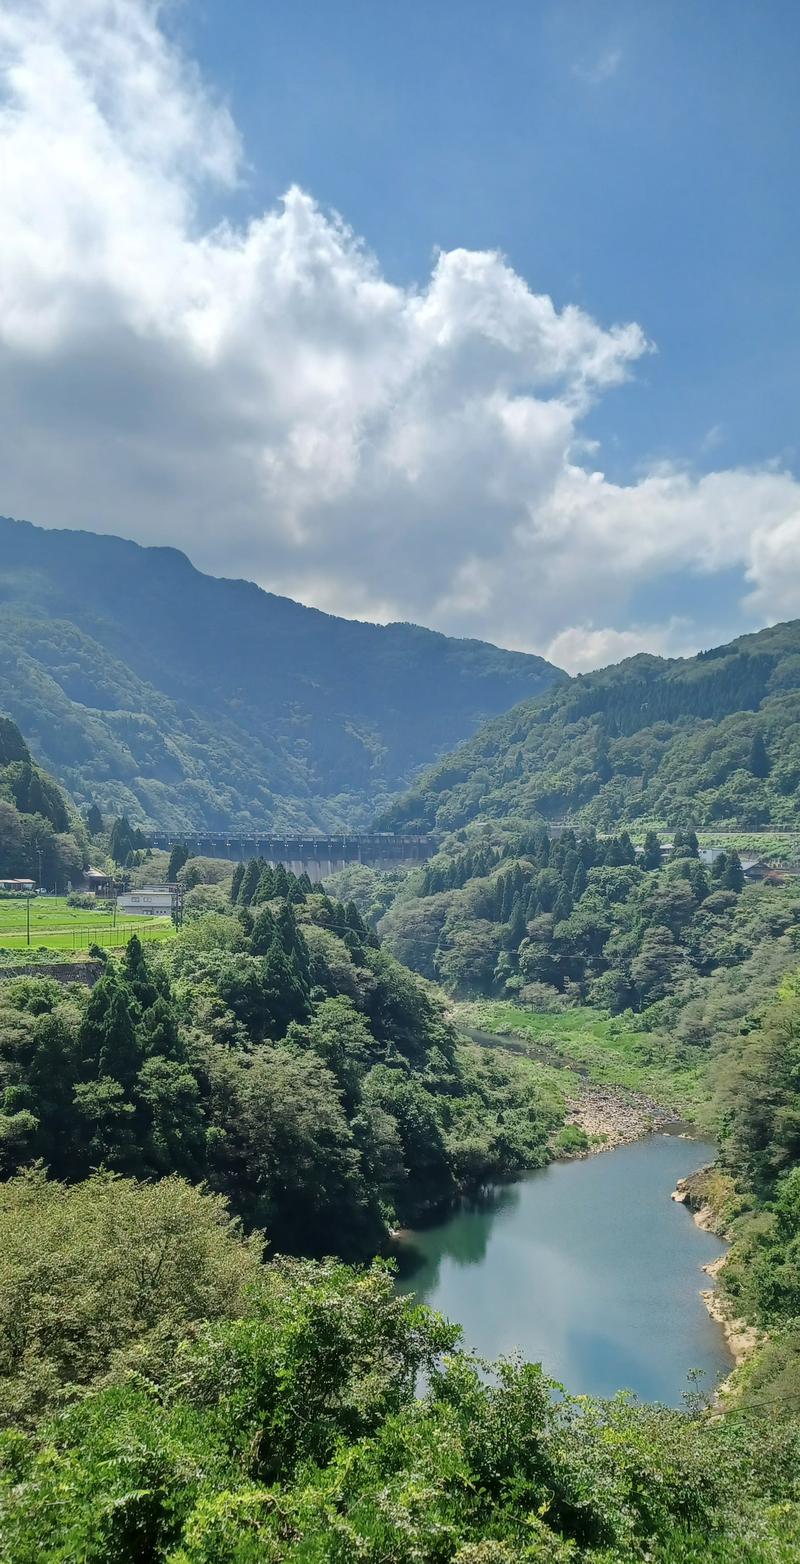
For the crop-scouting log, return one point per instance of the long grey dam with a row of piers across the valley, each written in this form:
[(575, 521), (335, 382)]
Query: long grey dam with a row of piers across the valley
[(316, 855)]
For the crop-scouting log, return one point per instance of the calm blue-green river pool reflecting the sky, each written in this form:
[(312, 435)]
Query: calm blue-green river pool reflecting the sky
[(588, 1268)]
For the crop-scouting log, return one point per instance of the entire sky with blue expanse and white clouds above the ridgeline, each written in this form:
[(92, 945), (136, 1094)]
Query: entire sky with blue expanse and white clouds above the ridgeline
[(634, 162)]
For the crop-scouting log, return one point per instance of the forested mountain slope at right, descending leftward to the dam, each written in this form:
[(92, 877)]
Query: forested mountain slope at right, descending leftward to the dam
[(712, 741)]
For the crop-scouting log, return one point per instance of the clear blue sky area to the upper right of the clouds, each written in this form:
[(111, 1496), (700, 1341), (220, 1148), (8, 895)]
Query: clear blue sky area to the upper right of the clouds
[(637, 159)]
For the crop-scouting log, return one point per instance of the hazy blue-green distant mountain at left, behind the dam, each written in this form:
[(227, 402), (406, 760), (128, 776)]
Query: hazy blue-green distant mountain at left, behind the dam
[(193, 701)]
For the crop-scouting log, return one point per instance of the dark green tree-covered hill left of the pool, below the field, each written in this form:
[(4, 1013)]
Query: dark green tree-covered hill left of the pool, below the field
[(274, 1052)]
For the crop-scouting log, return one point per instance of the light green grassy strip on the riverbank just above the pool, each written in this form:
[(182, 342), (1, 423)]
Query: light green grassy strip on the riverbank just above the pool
[(607, 1049)]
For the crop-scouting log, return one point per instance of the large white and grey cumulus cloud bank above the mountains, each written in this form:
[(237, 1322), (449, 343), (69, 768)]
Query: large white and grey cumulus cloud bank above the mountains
[(265, 398)]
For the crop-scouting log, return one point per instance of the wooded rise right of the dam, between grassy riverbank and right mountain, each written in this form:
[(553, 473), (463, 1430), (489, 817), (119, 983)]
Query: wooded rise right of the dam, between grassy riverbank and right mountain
[(587, 919)]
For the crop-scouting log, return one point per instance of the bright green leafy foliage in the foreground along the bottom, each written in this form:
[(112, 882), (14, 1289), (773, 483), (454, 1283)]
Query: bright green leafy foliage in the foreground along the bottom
[(293, 1435)]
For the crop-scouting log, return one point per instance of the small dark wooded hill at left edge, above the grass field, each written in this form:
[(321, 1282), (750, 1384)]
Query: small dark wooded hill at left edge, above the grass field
[(40, 836)]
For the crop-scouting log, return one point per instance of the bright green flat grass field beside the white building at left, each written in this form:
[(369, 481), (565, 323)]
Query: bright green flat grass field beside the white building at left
[(55, 927)]
